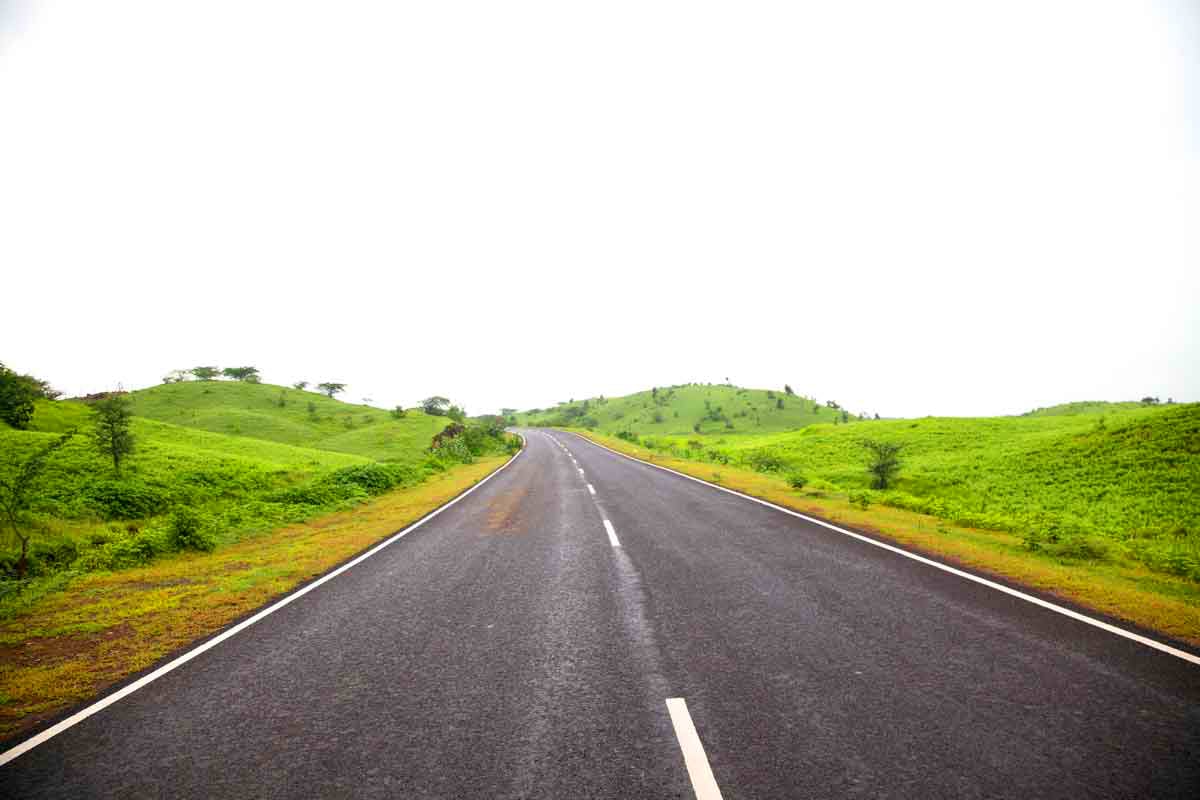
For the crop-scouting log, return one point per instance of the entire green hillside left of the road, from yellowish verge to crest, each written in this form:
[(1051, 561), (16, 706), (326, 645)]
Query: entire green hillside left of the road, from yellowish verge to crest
[(235, 459)]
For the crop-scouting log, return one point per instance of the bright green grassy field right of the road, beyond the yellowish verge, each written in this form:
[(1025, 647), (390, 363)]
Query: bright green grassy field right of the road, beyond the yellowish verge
[(1105, 483)]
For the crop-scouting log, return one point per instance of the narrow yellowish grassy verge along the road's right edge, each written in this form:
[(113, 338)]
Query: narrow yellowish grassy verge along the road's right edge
[(1126, 591)]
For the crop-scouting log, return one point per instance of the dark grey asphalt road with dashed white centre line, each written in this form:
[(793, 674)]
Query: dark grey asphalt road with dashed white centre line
[(519, 647)]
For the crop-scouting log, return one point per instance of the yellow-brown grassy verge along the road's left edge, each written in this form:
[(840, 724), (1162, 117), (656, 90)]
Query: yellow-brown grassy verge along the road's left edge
[(103, 628)]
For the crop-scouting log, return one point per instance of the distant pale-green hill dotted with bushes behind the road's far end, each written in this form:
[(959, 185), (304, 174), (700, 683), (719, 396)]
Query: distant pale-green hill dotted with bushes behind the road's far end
[(677, 411)]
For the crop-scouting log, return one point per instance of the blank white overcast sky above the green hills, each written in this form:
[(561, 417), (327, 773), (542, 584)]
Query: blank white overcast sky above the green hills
[(913, 209)]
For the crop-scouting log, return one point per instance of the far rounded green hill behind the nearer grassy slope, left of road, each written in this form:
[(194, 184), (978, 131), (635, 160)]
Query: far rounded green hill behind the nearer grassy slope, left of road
[(290, 417)]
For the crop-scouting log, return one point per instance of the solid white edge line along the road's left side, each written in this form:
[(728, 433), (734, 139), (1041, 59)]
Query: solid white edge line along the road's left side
[(100, 706)]
